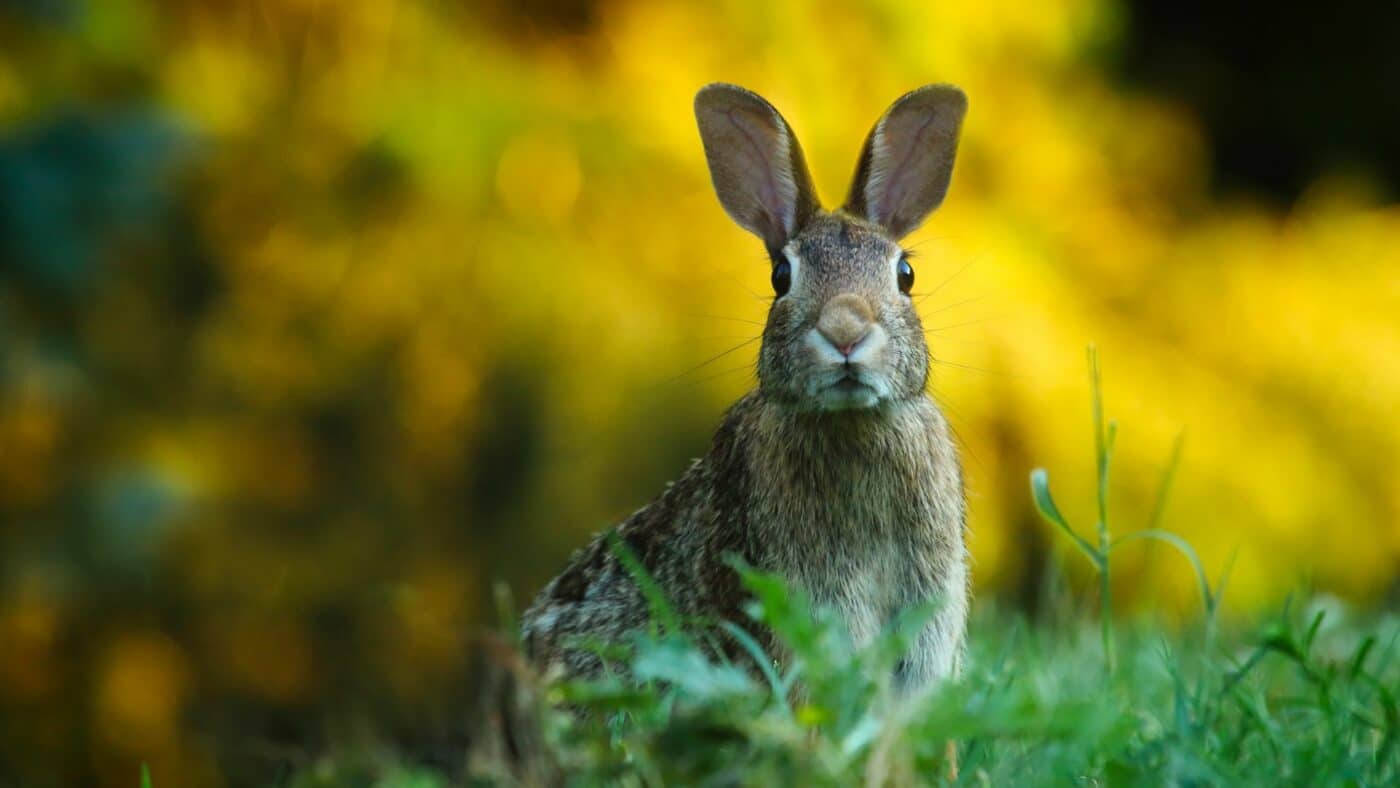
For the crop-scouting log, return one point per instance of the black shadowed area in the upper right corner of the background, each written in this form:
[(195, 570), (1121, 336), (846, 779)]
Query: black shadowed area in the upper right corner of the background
[(1286, 92)]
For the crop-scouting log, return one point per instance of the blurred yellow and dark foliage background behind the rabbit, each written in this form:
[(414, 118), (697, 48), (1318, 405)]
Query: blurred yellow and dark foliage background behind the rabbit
[(316, 318)]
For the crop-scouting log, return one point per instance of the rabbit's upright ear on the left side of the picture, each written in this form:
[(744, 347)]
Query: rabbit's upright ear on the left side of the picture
[(755, 163)]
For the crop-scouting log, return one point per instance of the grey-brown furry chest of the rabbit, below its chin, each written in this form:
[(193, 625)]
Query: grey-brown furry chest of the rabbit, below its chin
[(869, 521)]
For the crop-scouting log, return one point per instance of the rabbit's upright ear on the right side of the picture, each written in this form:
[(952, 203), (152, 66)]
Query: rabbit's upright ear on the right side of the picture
[(908, 160)]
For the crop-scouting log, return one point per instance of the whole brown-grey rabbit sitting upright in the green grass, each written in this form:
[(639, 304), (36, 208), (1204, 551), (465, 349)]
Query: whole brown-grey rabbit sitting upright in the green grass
[(838, 472)]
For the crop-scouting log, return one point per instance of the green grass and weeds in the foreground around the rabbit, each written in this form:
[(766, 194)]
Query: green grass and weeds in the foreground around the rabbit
[(1307, 696)]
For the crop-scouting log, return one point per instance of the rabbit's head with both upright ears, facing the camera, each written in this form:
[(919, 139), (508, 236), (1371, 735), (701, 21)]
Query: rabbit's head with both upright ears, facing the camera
[(842, 332)]
